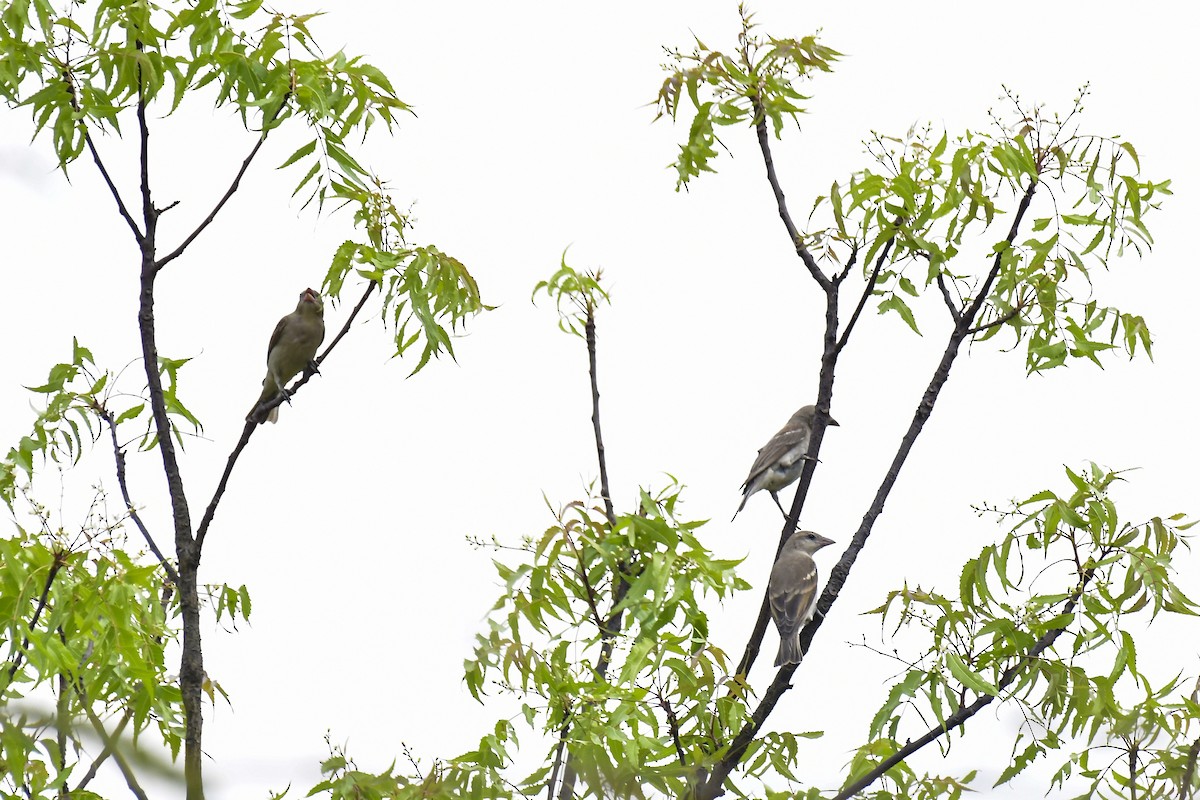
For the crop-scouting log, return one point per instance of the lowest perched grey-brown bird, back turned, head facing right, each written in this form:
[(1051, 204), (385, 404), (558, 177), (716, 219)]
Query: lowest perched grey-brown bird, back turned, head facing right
[(793, 592)]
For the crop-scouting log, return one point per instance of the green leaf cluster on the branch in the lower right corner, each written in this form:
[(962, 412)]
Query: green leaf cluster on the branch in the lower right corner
[(1061, 652)]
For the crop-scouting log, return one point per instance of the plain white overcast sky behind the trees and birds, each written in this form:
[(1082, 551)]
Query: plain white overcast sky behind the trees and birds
[(349, 520)]
